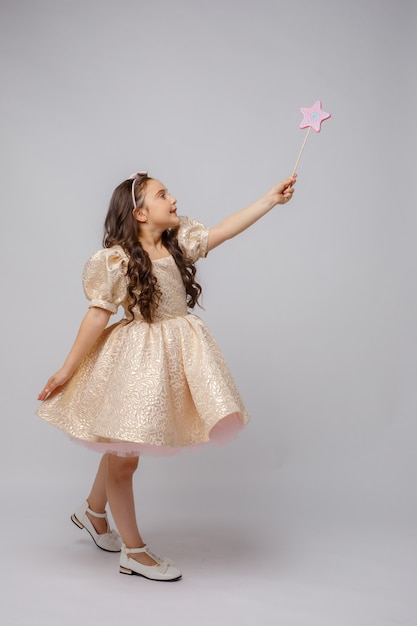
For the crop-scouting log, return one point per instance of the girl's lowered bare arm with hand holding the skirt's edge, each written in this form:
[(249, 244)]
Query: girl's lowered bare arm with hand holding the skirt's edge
[(93, 324)]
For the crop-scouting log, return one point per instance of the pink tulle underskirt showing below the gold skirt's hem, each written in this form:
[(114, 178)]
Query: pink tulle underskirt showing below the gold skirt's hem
[(223, 432)]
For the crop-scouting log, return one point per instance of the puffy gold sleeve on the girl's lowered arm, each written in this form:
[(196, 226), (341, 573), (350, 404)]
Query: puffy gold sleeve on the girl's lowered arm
[(104, 278)]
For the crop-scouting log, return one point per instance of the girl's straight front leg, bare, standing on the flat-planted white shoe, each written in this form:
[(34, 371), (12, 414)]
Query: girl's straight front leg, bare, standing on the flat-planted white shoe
[(119, 491)]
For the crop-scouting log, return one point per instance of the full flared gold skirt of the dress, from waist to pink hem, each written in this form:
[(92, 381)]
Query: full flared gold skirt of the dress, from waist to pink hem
[(149, 388)]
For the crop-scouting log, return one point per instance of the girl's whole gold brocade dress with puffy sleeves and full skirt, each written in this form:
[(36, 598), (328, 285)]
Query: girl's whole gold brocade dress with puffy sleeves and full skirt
[(148, 387)]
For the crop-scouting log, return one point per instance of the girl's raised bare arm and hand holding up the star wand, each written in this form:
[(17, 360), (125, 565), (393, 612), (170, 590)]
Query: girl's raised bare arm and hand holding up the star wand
[(240, 221)]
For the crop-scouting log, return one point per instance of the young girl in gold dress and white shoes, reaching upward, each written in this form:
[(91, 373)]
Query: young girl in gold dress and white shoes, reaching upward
[(155, 381)]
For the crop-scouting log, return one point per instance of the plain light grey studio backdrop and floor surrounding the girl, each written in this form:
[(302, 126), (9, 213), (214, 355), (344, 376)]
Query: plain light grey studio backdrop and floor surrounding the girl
[(309, 517)]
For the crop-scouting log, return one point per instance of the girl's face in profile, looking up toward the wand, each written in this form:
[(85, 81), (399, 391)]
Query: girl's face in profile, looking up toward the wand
[(159, 208)]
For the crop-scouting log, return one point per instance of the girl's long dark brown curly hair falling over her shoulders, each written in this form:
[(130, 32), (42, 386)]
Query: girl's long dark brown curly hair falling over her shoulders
[(121, 228)]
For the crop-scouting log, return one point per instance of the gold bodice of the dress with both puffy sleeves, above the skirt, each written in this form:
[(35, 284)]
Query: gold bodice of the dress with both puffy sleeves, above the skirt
[(105, 282)]
